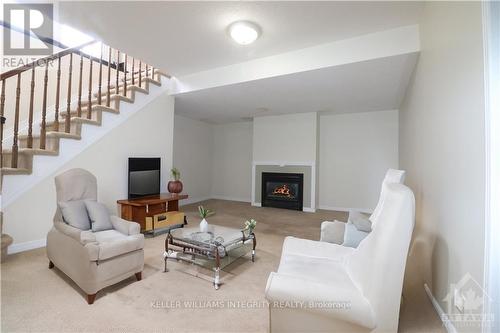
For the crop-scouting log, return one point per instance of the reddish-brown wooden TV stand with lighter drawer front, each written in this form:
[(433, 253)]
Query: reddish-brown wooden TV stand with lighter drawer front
[(155, 211)]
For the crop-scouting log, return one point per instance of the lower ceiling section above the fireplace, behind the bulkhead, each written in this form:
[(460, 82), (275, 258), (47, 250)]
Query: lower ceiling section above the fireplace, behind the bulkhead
[(357, 87)]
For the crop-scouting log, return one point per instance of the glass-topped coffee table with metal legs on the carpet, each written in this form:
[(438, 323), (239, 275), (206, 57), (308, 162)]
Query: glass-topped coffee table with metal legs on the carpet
[(214, 249)]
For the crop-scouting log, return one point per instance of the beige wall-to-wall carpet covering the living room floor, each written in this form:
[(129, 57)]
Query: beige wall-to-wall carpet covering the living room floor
[(36, 299)]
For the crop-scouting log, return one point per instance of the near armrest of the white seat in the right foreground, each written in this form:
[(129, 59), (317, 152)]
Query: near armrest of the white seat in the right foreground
[(343, 303)]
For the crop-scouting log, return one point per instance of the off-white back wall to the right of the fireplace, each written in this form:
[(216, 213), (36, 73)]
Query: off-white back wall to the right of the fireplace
[(355, 151)]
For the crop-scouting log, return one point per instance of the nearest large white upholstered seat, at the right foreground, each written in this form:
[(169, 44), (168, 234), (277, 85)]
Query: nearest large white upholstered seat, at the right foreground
[(326, 287)]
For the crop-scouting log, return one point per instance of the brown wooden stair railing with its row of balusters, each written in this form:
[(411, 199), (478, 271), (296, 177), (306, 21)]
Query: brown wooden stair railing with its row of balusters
[(108, 65)]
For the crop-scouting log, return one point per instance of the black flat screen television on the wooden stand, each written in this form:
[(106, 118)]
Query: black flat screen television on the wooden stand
[(143, 176)]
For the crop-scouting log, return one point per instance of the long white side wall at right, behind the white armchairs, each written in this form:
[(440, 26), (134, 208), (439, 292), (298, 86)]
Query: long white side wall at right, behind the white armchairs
[(442, 146)]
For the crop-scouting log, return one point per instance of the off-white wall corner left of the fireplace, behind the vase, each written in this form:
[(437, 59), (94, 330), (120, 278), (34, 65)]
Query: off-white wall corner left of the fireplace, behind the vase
[(215, 160)]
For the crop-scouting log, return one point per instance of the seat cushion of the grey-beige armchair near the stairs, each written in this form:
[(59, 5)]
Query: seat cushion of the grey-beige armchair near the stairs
[(112, 243)]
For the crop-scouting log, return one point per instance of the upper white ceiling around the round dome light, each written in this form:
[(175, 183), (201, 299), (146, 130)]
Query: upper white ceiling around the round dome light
[(188, 37)]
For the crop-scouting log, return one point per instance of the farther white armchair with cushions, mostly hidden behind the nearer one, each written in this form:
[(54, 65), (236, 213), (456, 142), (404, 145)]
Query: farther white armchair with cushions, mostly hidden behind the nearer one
[(358, 225)]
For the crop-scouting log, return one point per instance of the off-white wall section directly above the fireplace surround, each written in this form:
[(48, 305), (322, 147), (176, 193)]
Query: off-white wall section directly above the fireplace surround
[(289, 138)]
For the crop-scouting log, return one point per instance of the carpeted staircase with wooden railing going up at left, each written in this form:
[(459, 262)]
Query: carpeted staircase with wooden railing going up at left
[(93, 86)]
